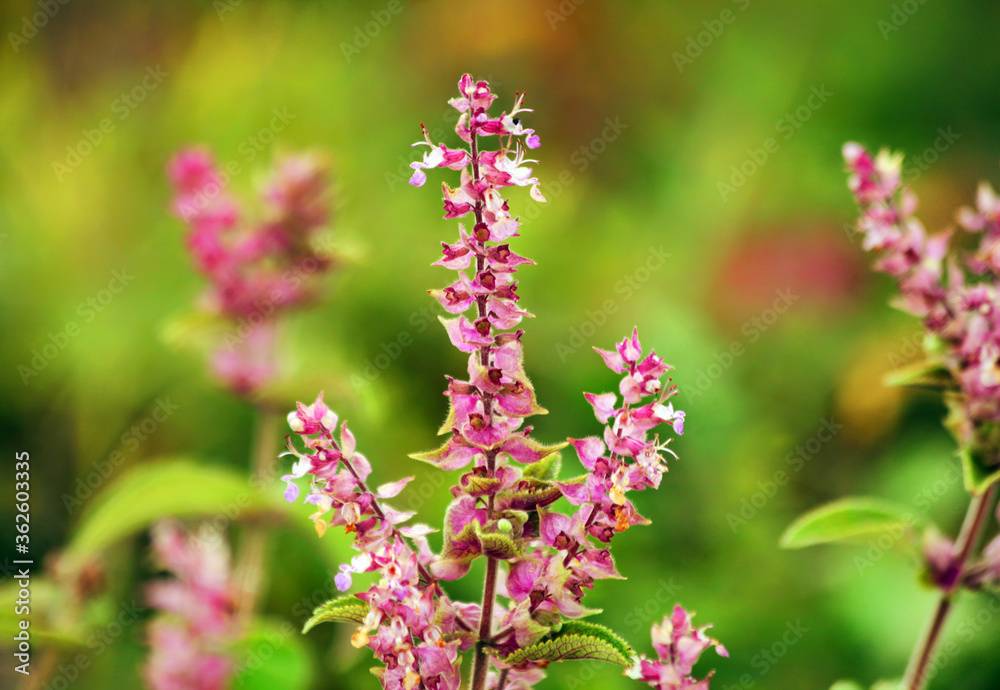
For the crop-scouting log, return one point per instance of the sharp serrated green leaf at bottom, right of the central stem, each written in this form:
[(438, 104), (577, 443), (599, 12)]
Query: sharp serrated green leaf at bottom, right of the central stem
[(575, 640)]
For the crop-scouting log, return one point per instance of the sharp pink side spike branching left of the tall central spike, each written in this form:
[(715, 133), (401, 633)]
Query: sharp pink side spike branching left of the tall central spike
[(408, 618)]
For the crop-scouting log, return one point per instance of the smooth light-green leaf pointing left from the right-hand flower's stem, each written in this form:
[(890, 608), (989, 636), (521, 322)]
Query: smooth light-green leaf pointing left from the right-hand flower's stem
[(847, 518)]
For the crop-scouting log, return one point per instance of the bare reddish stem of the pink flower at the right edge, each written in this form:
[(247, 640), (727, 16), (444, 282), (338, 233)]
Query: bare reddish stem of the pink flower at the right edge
[(916, 677)]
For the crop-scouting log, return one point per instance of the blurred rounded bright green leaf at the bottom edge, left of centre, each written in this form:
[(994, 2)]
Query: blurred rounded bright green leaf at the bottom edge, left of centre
[(272, 656)]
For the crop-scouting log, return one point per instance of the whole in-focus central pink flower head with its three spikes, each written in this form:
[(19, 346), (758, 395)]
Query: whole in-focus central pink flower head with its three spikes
[(539, 562)]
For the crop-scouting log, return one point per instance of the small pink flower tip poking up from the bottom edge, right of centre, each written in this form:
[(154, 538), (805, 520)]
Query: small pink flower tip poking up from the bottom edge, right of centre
[(678, 645)]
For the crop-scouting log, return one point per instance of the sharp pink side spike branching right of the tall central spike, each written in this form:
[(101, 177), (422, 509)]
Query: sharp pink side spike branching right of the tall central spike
[(561, 562)]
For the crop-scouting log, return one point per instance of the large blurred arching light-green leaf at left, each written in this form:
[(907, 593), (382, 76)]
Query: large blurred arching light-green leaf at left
[(175, 487)]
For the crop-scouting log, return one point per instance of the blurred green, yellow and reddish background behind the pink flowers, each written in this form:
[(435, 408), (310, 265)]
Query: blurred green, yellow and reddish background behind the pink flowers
[(644, 109)]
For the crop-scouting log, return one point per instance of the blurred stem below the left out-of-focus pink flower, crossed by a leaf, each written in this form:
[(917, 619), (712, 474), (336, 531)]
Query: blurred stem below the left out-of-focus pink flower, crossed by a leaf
[(249, 574)]
